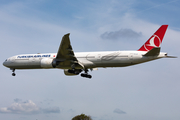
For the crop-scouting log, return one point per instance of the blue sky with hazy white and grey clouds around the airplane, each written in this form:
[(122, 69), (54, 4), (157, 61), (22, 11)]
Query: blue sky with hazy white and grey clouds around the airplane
[(145, 91)]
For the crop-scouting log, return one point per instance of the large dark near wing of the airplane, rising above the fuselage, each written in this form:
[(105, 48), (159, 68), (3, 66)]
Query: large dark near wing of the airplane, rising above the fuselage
[(65, 55)]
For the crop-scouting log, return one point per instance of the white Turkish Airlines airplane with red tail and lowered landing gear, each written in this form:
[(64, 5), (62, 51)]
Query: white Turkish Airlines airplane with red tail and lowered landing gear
[(75, 63)]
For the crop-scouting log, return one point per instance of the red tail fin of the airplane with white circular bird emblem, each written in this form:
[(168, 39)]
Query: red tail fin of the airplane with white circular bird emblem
[(155, 40)]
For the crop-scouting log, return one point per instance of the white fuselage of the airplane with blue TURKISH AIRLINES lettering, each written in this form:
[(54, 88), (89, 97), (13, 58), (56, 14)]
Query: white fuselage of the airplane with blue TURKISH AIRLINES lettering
[(87, 59)]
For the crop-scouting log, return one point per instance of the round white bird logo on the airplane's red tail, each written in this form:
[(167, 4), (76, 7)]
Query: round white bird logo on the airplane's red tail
[(154, 41)]
